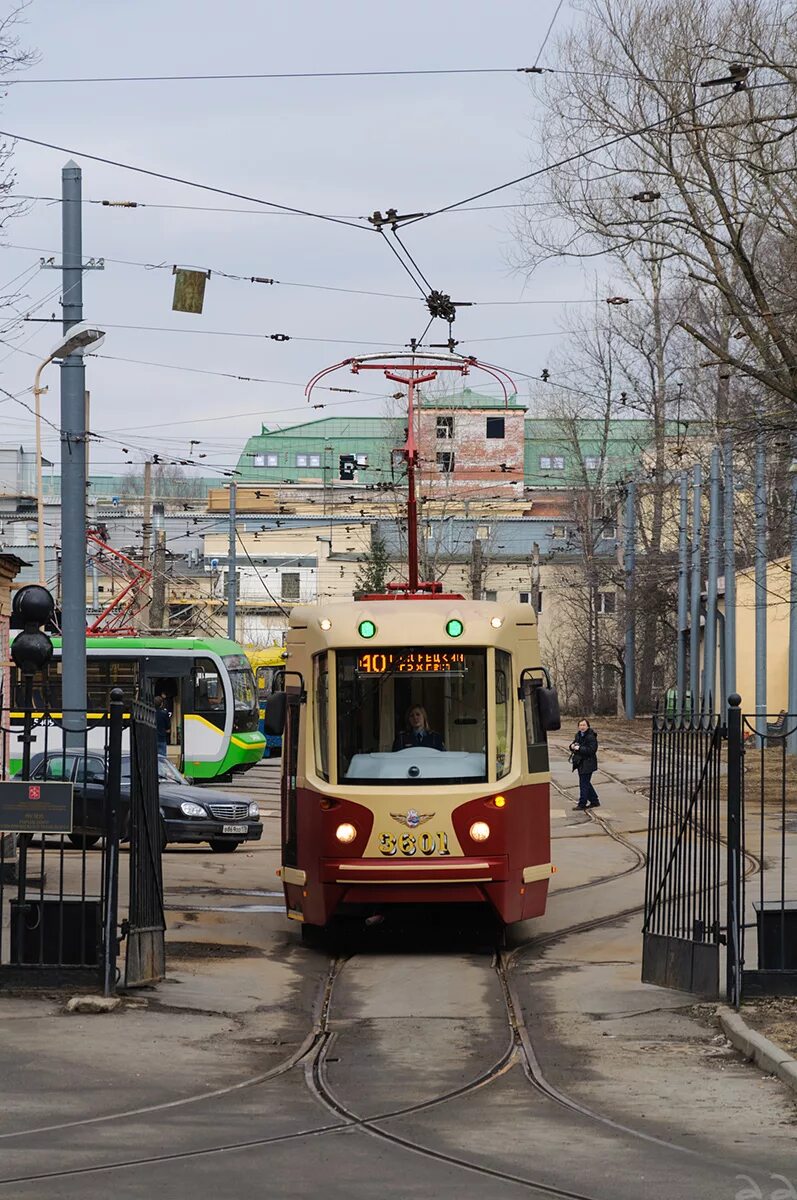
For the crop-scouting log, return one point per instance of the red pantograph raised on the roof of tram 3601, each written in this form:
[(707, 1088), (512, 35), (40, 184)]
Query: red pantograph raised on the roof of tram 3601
[(412, 370)]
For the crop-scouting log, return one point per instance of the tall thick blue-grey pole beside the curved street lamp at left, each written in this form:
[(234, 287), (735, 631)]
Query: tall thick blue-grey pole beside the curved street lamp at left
[(73, 433)]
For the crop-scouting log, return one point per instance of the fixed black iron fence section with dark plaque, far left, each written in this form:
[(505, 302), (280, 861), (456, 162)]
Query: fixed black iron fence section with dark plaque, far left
[(58, 890)]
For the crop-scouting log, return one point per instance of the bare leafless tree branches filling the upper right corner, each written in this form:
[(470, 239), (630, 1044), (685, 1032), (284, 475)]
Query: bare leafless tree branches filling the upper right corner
[(700, 178)]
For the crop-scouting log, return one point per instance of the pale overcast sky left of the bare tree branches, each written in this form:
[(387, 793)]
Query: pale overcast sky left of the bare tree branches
[(337, 147)]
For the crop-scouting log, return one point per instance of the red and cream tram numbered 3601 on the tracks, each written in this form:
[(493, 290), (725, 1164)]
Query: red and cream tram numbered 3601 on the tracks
[(382, 807)]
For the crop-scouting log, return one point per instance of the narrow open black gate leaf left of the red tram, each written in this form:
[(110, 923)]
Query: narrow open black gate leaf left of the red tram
[(146, 927)]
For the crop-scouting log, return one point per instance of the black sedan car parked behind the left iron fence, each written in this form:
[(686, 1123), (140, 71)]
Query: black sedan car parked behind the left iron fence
[(189, 814)]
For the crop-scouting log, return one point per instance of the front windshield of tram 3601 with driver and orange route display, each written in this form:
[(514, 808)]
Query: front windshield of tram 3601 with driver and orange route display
[(411, 716)]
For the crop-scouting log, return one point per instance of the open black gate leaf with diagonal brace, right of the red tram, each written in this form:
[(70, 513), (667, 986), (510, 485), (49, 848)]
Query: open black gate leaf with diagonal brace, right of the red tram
[(682, 931)]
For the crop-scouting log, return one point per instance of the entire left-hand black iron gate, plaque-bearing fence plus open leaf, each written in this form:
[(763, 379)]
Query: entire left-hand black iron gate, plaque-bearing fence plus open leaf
[(59, 892)]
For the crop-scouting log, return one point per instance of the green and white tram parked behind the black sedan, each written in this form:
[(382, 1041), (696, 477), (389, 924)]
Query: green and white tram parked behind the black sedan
[(206, 683)]
